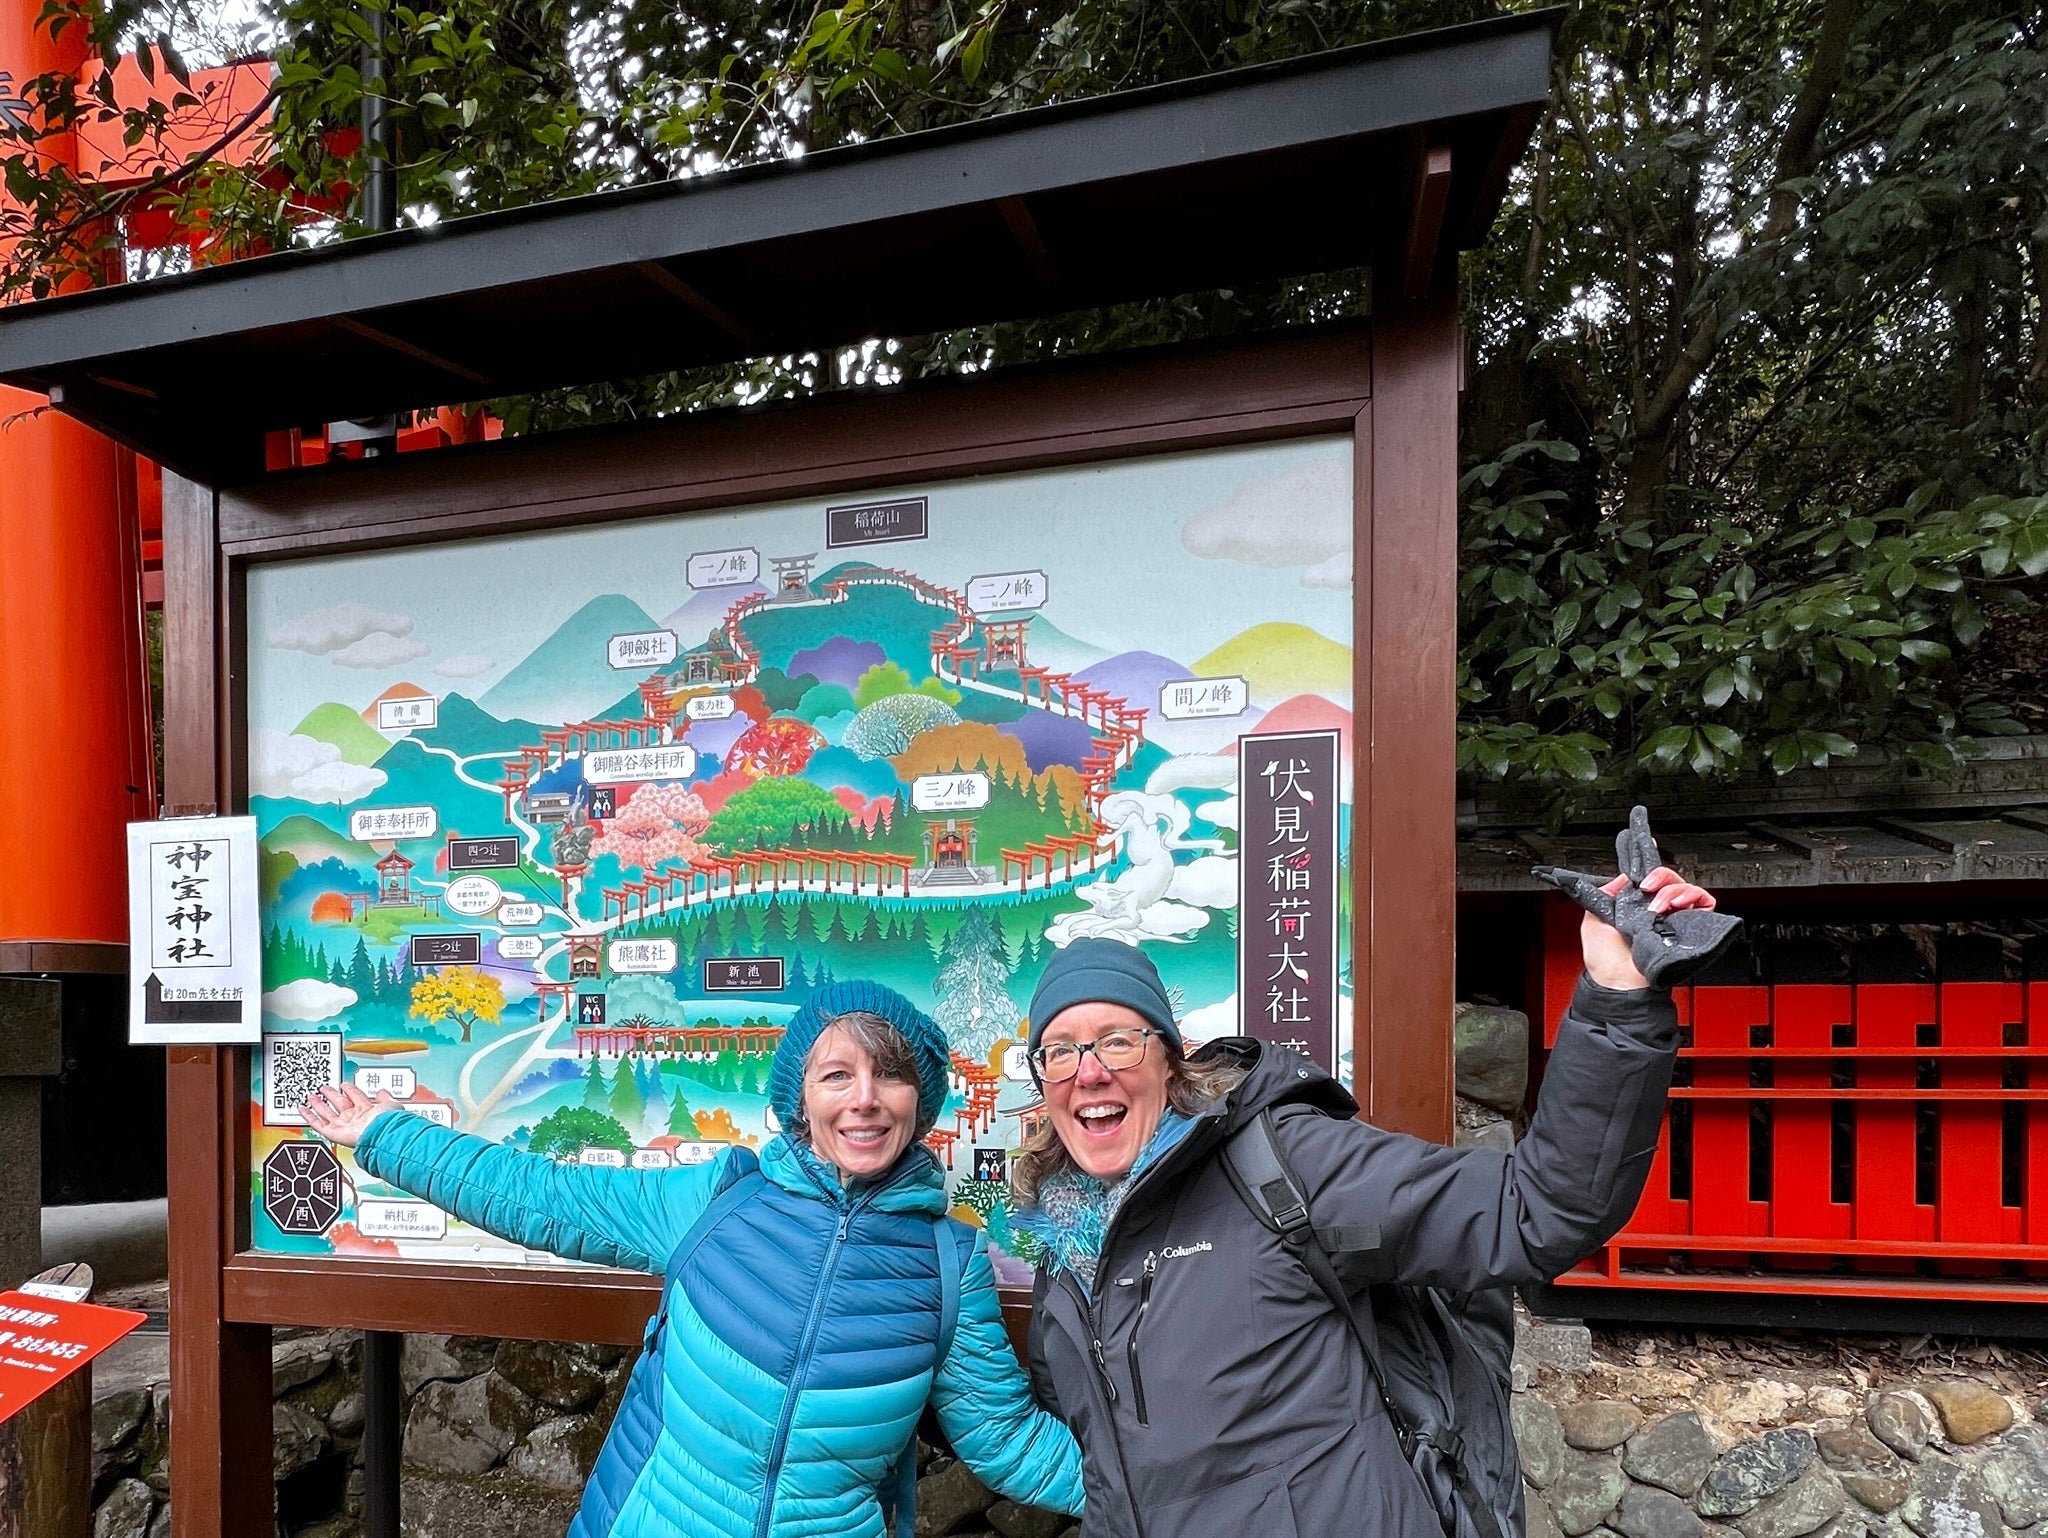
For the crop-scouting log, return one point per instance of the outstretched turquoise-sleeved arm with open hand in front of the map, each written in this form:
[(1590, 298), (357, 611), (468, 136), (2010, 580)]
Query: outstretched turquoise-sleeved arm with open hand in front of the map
[(611, 1217)]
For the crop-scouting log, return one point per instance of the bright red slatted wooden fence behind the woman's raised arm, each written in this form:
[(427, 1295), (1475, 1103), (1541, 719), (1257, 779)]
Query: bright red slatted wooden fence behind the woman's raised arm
[(1840, 1140)]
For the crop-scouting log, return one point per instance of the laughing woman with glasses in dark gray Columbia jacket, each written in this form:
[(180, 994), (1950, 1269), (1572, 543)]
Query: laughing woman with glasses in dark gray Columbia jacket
[(1209, 1381)]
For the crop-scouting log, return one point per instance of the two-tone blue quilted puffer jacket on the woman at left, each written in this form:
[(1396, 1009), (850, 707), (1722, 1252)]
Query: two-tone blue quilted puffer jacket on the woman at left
[(800, 1344)]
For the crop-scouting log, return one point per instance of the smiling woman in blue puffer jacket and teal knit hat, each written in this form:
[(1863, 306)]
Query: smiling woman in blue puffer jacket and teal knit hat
[(812, 1308)]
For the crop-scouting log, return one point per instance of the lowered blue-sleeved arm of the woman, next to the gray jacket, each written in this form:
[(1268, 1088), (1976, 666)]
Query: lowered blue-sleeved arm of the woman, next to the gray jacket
[(986, 1406)]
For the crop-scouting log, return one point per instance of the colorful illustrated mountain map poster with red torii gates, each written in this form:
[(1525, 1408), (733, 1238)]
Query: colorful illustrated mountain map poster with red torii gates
[(558, 830)]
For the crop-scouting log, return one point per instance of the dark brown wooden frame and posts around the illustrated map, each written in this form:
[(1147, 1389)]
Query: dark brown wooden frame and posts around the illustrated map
[(1394, 386)]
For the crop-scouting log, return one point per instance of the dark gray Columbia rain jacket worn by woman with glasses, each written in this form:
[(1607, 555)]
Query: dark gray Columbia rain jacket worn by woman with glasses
[(1213, 1390)]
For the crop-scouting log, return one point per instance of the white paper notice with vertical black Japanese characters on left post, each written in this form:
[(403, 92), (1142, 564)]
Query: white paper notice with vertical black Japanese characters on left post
[(196, 939)]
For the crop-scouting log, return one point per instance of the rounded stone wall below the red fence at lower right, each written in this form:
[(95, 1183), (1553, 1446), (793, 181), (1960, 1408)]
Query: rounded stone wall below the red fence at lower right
[(1684, 1435)]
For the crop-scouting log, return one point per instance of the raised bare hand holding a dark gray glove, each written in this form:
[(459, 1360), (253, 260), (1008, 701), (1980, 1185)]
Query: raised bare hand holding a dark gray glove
[(1646, 927)]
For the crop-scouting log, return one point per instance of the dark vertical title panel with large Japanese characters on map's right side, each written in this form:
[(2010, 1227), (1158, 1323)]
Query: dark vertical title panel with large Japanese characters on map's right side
[(1289, 904)]
